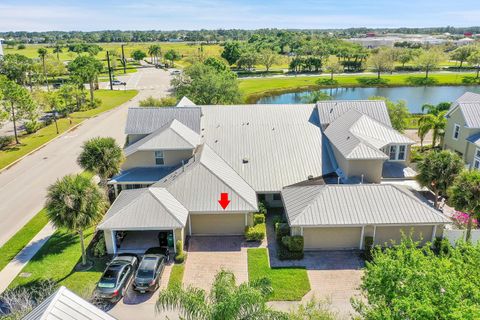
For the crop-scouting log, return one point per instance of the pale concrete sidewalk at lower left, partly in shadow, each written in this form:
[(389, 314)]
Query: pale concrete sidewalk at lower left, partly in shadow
[(14, 267)]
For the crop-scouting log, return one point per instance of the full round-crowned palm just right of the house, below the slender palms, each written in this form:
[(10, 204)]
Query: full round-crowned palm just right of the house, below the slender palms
[(437, 170)]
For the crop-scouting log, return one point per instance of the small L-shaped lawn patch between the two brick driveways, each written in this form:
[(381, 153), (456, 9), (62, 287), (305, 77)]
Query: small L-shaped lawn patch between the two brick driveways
[(289, 284)]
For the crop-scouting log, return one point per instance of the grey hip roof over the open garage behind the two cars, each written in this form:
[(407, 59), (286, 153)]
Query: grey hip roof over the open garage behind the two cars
[(143, 209)]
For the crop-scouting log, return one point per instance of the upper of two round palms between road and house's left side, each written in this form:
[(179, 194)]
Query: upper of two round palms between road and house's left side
[(102, 156)]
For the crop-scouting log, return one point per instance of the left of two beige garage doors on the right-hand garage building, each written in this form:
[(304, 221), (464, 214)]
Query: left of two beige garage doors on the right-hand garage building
[(332, 238)]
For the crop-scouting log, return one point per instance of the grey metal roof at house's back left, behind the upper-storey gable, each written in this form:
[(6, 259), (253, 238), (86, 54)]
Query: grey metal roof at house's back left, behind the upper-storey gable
[(147, 120)]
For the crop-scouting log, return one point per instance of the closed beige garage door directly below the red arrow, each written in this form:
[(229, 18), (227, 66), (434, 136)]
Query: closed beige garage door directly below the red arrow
[(218, 224)]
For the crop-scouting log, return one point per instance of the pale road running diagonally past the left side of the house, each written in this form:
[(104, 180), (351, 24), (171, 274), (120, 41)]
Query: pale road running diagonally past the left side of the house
[(23, 187)]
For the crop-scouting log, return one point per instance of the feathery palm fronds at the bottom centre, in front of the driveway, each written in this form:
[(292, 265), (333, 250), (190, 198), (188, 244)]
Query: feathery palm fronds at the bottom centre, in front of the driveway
[(226, 300)]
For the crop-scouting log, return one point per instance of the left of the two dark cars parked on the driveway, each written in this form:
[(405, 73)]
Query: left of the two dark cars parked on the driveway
[(117, 276)]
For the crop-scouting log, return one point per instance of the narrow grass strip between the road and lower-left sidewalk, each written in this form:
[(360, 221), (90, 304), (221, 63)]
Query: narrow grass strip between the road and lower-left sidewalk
[(16, 243)]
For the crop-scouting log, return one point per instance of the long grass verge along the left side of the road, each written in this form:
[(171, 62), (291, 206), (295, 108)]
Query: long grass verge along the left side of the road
[(29, 142)]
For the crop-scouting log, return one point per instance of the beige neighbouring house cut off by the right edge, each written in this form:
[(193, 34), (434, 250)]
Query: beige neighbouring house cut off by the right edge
[(462, 133)]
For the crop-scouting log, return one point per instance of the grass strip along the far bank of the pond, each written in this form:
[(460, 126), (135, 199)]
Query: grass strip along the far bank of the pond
[(253, 89)]
